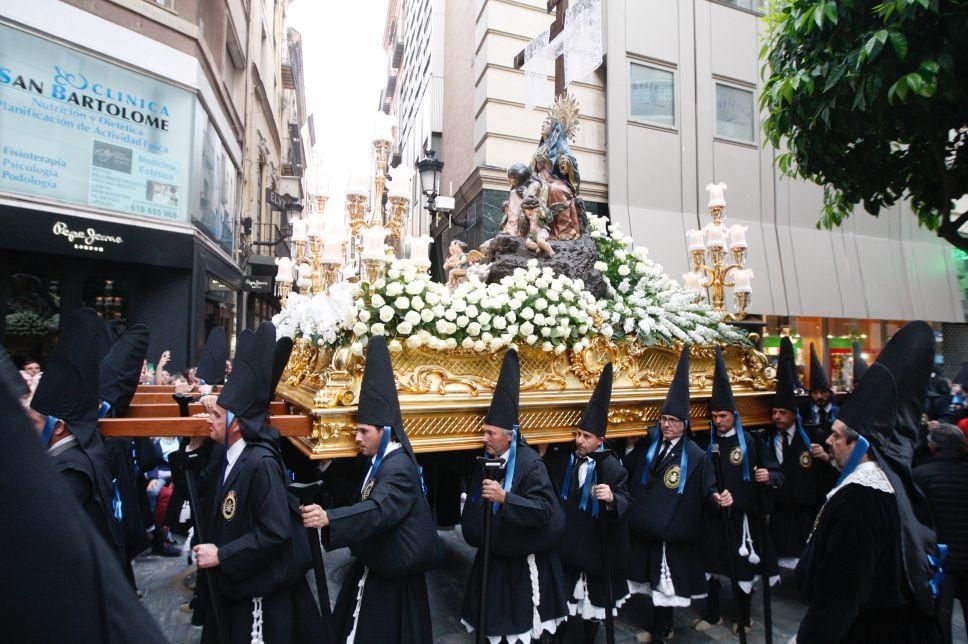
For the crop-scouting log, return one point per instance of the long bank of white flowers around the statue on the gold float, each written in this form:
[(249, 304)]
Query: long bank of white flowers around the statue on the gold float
[(533, 307)]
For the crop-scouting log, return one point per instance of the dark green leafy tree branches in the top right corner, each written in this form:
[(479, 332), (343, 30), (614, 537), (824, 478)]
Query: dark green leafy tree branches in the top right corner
[(867, 99)]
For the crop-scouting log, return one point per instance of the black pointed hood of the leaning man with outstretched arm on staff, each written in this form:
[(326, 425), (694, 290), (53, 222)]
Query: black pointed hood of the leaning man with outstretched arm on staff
[(378, 402)]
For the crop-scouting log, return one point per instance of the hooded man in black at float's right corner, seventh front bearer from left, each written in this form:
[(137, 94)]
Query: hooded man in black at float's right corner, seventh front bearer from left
[(807, 474)]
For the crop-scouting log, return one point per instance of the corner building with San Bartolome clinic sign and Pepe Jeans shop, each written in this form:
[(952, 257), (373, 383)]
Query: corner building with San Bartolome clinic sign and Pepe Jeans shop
[(129, 130)]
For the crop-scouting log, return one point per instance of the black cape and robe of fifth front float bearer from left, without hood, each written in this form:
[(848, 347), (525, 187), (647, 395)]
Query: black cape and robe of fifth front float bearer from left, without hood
[(660, 516)]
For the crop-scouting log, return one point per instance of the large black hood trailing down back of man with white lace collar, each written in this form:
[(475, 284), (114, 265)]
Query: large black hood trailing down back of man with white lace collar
[(885, 408)]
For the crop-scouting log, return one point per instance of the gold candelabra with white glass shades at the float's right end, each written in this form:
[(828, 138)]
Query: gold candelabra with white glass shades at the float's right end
[(718, 260)]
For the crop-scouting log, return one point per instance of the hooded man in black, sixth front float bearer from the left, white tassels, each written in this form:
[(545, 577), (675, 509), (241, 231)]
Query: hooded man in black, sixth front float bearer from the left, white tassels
[(750, 474)]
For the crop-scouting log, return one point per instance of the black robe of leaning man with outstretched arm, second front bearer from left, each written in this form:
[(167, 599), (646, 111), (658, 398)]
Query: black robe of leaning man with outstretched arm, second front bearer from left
[(392, 533)]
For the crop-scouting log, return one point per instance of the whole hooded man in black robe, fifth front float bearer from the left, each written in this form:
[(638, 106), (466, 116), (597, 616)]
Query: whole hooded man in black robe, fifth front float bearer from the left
[(671, 486)]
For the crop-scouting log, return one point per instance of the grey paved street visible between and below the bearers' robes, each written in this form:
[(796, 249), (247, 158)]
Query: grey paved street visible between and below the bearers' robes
[(161, 580)]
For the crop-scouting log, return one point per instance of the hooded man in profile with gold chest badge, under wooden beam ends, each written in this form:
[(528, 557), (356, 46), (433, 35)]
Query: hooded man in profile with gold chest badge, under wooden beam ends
[(259, 552)]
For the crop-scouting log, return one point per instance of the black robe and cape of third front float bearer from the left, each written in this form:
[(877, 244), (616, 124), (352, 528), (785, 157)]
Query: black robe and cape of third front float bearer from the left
[(530, 522)]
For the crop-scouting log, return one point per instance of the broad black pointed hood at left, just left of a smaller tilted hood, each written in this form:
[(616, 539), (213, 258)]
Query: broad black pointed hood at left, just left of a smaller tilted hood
[(69, 387)]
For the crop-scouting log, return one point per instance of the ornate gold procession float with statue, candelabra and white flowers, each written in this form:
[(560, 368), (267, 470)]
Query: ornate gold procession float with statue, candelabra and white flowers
[(569, 290)]
